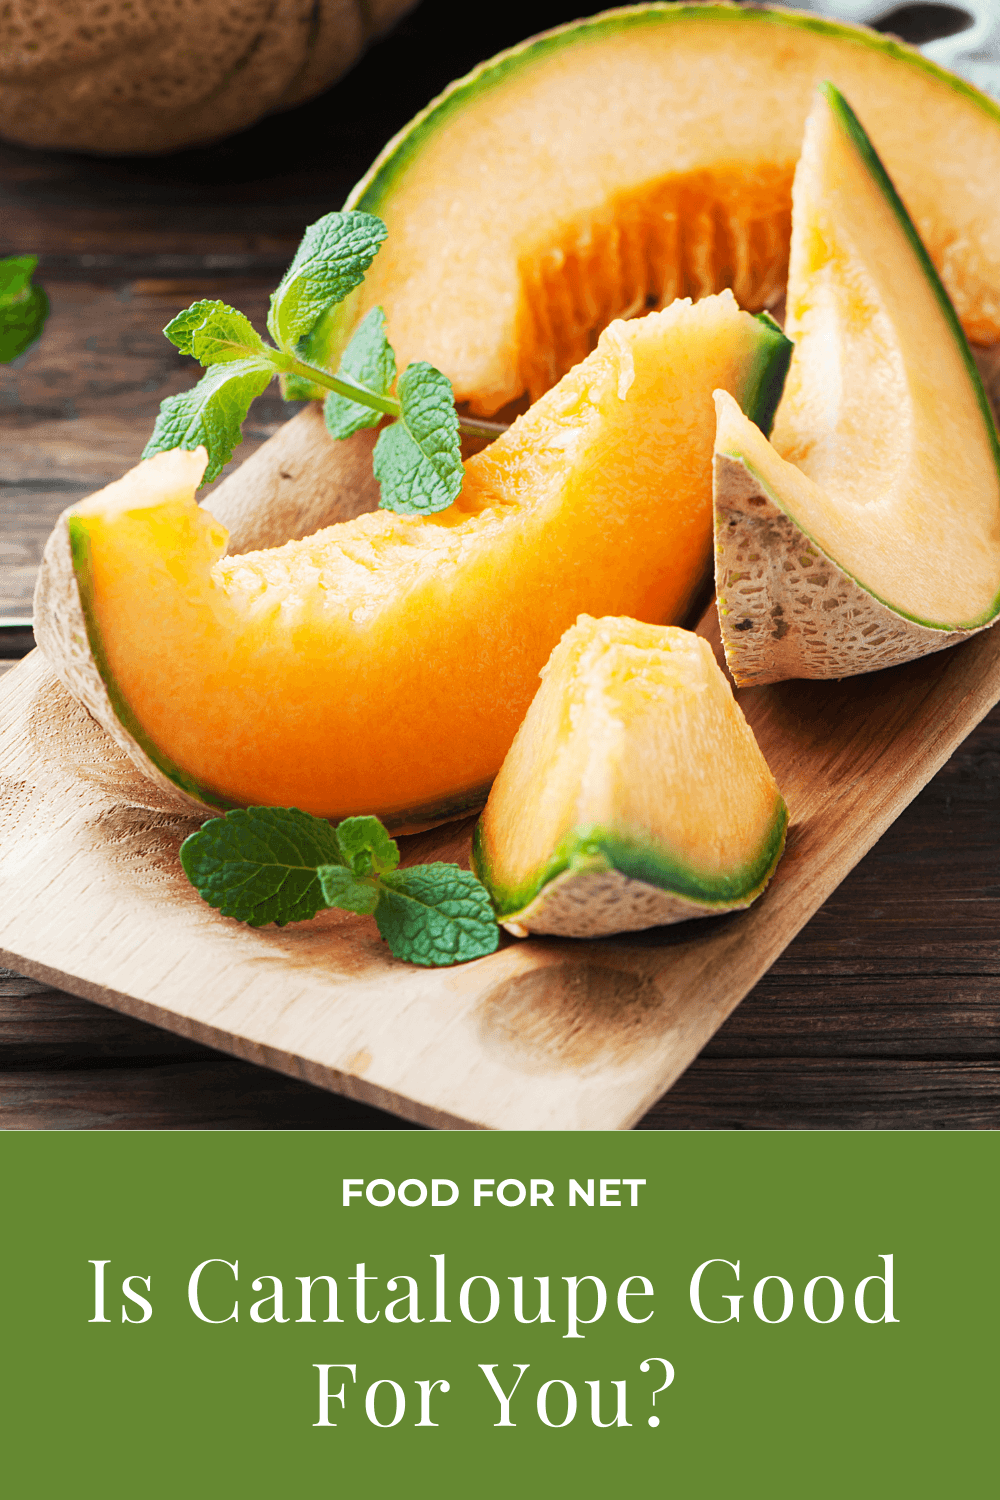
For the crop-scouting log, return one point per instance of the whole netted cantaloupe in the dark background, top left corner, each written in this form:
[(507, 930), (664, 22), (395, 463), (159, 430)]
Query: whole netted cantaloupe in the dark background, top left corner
[(157, 76)]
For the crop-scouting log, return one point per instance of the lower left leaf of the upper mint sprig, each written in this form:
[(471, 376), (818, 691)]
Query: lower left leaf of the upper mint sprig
[(212, 415)]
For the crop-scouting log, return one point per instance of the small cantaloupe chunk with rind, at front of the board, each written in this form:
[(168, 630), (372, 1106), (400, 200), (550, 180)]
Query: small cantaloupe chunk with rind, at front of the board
[(635, 793)]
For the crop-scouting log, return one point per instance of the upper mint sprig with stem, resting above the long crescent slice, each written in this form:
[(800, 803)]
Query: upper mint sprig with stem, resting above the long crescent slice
[(419, 460)]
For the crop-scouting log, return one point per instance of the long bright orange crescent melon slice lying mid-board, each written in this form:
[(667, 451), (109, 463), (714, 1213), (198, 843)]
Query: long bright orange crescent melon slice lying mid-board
[(383, 665)]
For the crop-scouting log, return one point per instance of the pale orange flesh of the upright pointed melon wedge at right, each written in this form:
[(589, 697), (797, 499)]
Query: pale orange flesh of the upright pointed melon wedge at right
[(900, 472)]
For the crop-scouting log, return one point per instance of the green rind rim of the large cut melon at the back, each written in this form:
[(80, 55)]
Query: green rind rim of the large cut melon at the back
[(371, 193)]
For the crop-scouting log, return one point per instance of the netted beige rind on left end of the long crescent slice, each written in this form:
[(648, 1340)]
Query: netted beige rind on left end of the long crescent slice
[(64, 638)]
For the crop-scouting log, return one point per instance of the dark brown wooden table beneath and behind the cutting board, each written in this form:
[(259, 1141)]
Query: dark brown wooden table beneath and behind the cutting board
[(885, 1012)]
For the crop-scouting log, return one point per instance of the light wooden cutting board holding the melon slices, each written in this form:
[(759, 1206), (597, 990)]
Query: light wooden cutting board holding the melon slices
[(542, 1036)]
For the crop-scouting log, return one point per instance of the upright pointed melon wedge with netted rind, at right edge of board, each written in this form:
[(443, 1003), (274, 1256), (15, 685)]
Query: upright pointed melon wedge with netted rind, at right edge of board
[(870, 532)]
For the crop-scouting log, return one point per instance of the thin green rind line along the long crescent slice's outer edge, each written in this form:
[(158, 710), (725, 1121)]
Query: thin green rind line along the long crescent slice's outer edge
[(454, 806)]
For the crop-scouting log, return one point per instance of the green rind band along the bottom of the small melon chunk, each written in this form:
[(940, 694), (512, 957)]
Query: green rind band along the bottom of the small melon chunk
[(593, 848)]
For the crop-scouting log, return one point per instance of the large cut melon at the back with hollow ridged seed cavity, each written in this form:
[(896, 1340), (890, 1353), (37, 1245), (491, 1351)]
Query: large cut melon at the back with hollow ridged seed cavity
[(642, 155)]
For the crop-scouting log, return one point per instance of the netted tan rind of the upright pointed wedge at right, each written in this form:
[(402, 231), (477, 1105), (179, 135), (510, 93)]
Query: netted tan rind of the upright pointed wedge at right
[(786, 608)]
